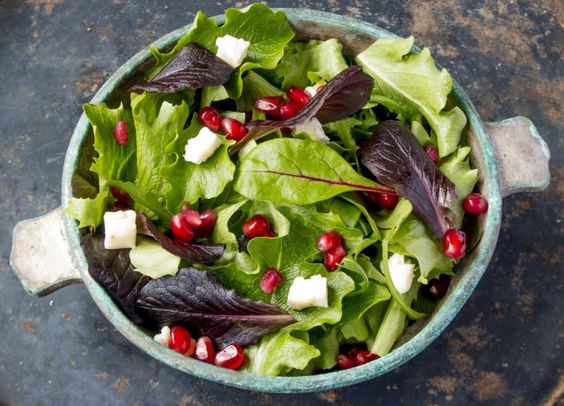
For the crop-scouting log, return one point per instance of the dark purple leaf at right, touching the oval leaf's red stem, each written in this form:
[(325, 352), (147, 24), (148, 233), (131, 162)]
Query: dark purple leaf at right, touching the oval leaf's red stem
[(397, 160)]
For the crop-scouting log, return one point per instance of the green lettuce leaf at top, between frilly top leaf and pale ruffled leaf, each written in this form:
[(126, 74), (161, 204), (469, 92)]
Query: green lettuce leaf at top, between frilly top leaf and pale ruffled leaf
[(319, 60)]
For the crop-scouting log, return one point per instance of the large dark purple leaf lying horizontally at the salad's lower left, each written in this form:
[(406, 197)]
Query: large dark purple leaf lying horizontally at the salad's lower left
[(199, 300)]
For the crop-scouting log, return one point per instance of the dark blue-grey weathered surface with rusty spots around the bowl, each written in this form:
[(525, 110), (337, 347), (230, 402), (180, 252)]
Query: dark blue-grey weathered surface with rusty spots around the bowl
[(505, 347)]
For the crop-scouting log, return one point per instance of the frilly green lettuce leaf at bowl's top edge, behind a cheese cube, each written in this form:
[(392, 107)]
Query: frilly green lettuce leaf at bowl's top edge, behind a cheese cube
[(268, 32)]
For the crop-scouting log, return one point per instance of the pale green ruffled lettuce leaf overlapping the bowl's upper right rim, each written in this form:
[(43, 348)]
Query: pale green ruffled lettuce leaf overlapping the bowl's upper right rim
[(410, 84)]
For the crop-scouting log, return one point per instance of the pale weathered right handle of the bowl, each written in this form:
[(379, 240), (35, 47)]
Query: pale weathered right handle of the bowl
[(522, 155)]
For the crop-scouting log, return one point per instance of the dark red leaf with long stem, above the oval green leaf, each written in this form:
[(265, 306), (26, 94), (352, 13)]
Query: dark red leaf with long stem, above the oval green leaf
[(342, 96)]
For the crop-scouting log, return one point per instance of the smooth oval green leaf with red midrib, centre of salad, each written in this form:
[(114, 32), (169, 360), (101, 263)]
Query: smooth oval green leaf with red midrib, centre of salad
[(294, 171)]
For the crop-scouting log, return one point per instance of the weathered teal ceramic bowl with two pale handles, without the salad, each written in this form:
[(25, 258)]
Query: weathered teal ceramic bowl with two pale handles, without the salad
[(504, 169)]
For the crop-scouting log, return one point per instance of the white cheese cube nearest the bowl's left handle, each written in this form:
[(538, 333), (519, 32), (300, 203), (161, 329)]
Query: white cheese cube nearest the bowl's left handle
[(121, 229)]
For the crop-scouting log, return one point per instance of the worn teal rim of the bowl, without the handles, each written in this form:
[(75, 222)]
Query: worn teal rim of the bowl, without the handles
[(435, 325)]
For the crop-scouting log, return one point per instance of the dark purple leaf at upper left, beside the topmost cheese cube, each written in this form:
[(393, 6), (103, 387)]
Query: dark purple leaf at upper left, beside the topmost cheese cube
[(193, 67)]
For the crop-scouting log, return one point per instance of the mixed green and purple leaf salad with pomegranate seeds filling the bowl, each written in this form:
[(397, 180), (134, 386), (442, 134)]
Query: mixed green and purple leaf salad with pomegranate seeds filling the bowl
[(221, 240)]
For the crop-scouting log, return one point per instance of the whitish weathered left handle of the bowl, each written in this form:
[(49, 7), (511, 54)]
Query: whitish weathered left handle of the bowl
[(40, 256)]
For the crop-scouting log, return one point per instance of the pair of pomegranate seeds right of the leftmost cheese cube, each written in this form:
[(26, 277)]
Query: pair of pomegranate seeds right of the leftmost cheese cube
[(190, 224)]
